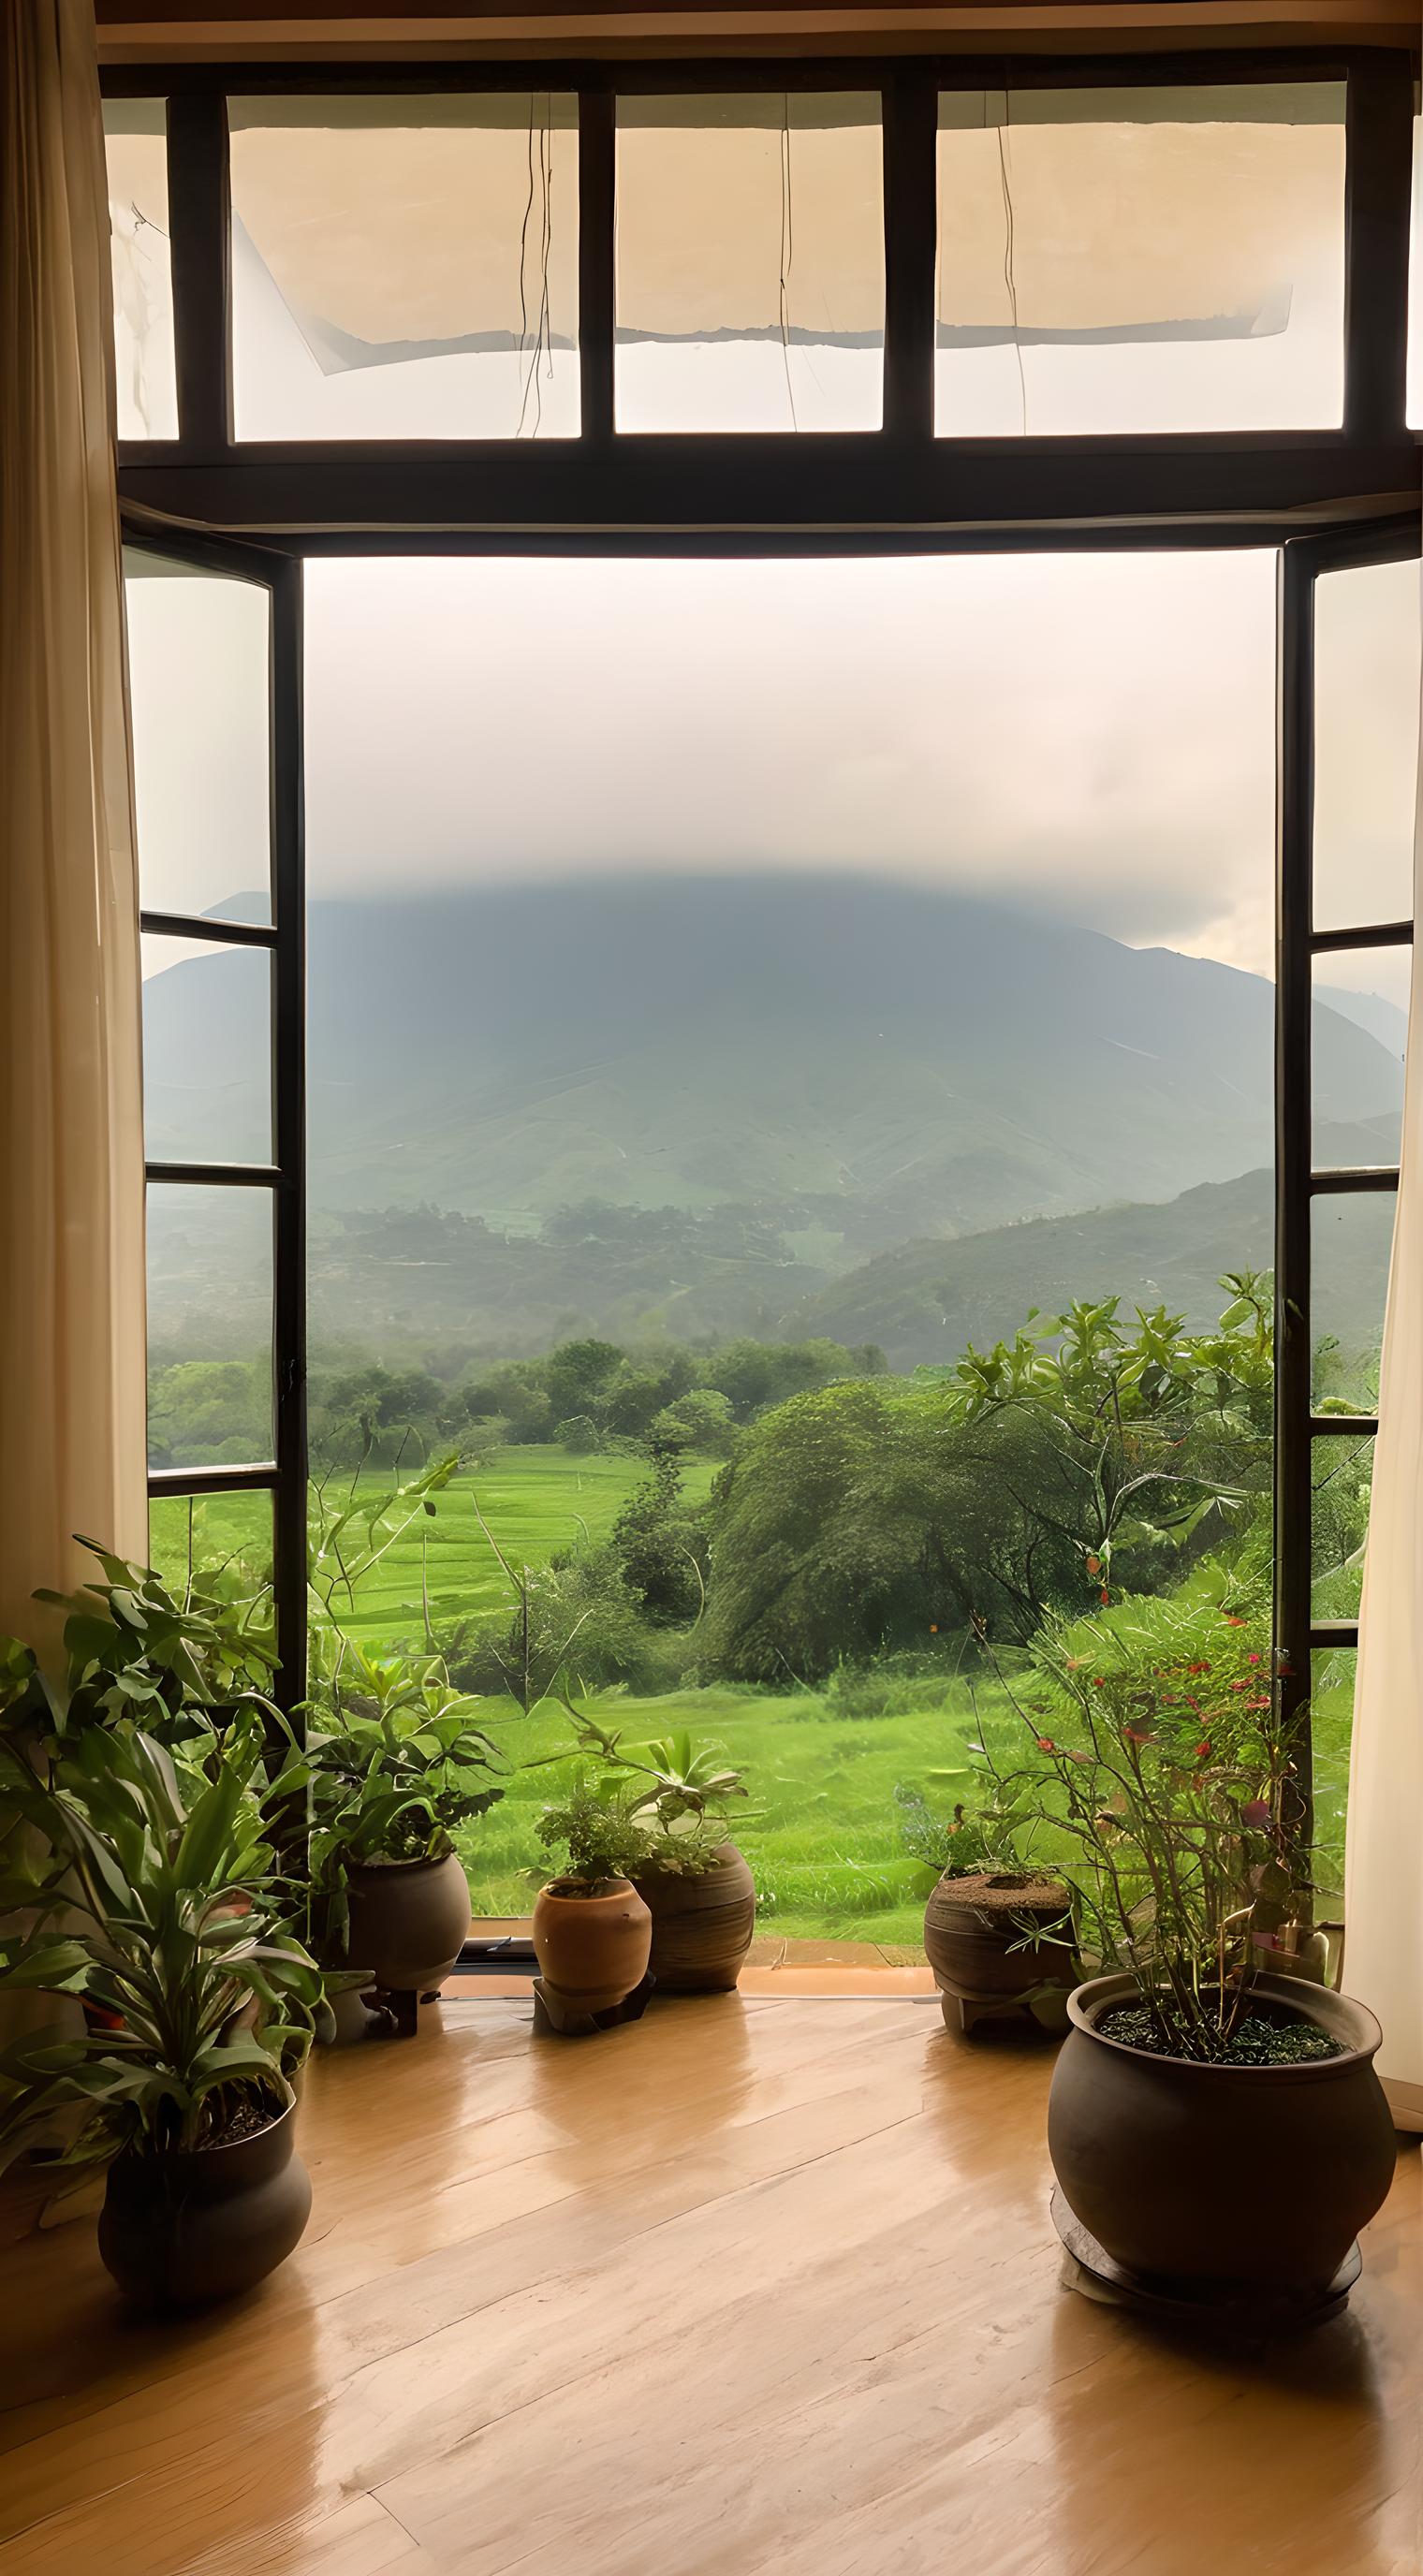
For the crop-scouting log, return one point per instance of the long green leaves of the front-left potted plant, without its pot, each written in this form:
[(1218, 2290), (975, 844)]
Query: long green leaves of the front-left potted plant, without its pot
[(161, 1915)]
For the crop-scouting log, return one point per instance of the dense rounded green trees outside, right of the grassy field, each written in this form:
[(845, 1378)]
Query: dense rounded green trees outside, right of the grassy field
[(875, 1516)]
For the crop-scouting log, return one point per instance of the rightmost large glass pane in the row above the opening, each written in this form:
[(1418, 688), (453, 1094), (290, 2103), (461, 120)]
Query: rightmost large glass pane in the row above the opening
[(1141, 259)]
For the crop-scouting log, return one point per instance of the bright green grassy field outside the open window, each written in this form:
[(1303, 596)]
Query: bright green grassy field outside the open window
[(821, 1828)]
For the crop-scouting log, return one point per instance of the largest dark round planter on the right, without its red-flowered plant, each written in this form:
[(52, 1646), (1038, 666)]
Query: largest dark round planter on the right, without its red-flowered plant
[(1223, 2178)]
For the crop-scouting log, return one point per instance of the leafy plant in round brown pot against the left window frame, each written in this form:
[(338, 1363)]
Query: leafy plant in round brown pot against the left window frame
[(393, 1766)]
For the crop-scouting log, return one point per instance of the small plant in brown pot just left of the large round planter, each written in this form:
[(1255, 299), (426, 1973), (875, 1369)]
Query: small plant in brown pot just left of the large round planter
[(996, 1926)]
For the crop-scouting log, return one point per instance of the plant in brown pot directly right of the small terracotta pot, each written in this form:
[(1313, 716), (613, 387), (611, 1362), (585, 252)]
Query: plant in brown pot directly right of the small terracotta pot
[(695, 1882)]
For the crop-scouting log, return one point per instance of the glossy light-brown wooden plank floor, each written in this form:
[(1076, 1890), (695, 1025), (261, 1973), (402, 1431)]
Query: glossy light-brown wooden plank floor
[(751, 2286)]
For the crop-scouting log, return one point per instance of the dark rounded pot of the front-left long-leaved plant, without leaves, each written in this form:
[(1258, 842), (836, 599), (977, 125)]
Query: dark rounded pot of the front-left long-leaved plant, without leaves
[(187, 2230)]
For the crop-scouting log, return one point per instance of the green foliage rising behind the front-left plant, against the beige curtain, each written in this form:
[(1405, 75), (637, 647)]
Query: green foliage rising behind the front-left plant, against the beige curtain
[(135, 1655)]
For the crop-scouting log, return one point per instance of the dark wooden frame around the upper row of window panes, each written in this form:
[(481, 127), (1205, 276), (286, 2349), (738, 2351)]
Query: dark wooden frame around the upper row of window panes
[(888, 478)]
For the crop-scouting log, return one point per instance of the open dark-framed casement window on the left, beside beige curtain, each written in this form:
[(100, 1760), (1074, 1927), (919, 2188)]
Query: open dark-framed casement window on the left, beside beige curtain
[(215, 661)]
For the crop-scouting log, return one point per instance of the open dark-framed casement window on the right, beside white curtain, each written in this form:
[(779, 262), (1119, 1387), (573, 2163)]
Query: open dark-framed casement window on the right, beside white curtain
[(1347, 792)]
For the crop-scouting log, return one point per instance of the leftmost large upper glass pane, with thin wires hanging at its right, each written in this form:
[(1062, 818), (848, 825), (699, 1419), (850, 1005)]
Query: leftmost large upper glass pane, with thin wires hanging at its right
[(406, 267)]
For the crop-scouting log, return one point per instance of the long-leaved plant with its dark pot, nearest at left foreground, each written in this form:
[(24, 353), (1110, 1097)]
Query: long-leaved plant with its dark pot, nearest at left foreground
[(159, 1913)]
